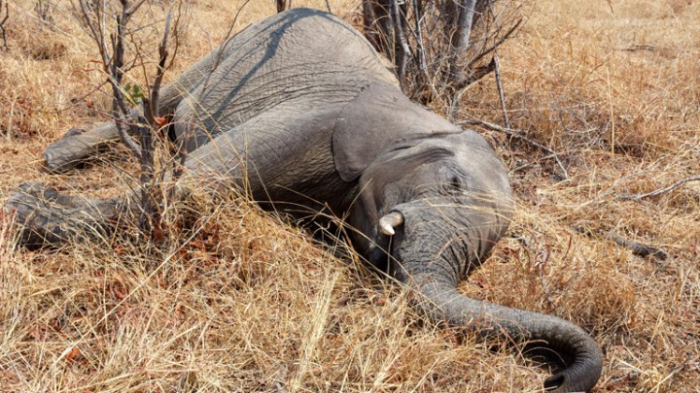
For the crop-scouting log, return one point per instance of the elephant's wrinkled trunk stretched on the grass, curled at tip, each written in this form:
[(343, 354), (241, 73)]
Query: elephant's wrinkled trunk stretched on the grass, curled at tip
[(553, 337)]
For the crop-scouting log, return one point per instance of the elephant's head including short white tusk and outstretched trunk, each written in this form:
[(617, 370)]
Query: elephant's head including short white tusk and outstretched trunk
[(432, 208)]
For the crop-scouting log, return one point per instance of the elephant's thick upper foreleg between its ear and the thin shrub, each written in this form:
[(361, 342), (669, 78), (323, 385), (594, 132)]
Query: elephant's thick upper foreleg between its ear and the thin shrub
[(276, 156)]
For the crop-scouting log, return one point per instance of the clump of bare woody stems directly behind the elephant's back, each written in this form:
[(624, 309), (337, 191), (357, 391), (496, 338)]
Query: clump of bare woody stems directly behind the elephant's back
[(440, 52)]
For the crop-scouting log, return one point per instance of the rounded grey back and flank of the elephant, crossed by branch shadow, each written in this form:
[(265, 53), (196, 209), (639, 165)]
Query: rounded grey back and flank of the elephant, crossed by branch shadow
[(302, 57)]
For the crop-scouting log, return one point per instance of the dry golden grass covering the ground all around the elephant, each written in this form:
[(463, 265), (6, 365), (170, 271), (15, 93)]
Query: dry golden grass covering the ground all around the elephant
[(246, 303)]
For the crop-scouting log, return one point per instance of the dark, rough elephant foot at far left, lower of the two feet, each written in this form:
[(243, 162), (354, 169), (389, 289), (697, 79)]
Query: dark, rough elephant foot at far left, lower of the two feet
[(45, 217)]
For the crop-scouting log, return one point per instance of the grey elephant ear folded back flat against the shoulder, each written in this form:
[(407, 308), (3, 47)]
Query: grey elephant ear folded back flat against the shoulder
[(378, 120)]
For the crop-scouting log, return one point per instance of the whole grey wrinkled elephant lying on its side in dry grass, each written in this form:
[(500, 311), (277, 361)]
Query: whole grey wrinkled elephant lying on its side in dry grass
[(305, 102)]
